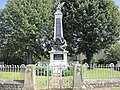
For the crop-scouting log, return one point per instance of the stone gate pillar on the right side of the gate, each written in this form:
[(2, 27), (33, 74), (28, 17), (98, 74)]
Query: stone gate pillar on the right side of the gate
[(77, 78)]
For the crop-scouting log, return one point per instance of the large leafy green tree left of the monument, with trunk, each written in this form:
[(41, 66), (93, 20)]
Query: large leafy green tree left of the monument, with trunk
[(26, 27)]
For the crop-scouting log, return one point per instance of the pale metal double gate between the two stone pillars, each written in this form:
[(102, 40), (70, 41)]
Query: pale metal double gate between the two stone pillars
[(54, 77)]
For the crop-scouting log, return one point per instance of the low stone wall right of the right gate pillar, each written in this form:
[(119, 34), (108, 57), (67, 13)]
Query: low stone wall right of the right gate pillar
[(89, 84)]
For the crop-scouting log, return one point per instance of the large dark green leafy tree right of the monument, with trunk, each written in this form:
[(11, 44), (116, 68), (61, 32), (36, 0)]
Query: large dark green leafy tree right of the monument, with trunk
[(91, 25)]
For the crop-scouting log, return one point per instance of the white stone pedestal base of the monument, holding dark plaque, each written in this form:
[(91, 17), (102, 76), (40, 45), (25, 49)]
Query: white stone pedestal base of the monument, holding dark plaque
[(58, 60)]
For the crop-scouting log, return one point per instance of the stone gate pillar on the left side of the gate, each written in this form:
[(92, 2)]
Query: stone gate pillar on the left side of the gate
[(30, 74)]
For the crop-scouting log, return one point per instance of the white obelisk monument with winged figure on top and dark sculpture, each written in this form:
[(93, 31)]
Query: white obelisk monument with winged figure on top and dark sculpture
[(58, 54)]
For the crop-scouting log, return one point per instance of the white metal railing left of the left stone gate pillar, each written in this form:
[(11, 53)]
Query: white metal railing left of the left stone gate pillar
[(12, 72)]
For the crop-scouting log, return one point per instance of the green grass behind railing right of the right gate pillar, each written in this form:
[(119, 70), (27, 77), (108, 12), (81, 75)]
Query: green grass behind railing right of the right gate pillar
[(100, 73)]
